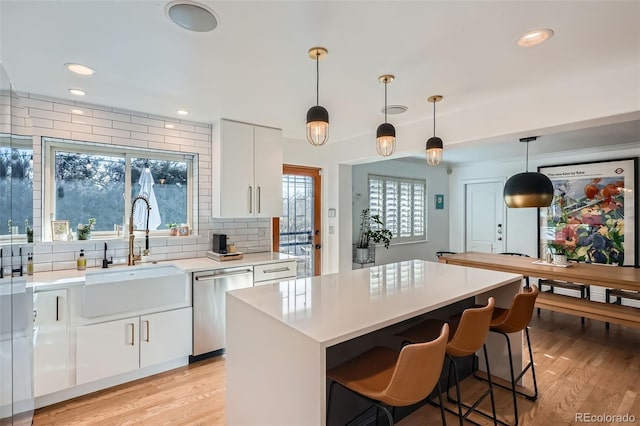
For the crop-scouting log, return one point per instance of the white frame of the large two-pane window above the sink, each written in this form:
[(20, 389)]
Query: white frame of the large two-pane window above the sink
[(51, 145)]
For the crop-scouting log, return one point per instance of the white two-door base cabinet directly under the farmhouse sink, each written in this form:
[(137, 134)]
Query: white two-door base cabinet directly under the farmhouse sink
[(115, 347)]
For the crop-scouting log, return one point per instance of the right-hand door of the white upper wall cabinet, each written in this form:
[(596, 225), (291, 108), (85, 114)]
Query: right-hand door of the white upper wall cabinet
[(268, 172)]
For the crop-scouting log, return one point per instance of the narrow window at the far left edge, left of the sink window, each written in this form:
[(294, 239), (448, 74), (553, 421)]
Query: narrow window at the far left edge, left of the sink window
[(16, 185)]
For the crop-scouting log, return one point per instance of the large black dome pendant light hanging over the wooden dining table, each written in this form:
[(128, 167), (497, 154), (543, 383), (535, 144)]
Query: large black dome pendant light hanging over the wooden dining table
[(528, 189)]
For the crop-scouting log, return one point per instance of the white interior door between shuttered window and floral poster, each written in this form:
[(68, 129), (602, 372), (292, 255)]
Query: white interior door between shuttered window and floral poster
[(484, 217)]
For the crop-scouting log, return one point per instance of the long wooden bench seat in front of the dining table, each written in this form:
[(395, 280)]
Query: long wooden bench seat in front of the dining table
[(607, 312)]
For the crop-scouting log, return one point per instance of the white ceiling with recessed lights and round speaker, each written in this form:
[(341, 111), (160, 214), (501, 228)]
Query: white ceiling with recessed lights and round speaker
[(254, 67)]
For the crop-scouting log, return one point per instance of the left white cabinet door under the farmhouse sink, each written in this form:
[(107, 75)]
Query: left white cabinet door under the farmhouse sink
[(106, 349)]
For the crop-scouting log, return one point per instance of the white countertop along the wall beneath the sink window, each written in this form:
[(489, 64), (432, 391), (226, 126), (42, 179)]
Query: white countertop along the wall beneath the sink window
[(51, 280)]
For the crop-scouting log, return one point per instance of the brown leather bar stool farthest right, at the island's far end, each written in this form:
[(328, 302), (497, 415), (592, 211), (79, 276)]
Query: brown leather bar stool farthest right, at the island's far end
[(514, 320)]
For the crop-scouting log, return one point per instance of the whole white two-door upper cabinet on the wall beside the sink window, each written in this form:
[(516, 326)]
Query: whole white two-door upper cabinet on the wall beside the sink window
[(247, 171)]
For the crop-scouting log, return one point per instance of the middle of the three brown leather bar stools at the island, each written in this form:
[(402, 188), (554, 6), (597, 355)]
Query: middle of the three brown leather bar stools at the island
[(468, 337)]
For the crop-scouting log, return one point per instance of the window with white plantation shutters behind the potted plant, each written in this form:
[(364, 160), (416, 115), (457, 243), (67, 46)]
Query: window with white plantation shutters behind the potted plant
[(401, 204)]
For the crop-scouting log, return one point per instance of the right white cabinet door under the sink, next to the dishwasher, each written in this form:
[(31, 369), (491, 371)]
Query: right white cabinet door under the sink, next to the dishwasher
[(165, 336)]
